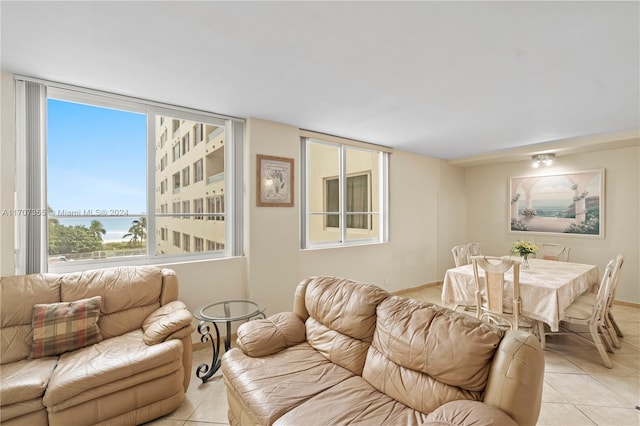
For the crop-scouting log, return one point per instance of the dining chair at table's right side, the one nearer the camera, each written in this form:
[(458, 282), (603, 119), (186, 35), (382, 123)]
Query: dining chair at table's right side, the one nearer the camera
[(592, 315)]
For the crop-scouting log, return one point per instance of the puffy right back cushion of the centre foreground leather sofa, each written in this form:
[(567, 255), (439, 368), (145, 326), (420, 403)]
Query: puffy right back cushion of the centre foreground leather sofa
[(423, 355)]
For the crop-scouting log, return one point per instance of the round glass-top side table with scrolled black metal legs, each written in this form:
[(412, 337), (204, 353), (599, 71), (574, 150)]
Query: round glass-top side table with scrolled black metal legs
[(224, 312)]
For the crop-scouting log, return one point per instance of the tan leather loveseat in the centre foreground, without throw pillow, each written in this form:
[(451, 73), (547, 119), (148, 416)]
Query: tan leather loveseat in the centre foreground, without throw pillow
[(351, 353)]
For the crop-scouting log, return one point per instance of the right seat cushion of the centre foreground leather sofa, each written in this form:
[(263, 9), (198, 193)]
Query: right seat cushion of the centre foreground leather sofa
[(352, 401)]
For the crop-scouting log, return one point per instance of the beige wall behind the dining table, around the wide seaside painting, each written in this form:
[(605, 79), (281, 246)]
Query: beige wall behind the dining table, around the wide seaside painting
[(487, 193)]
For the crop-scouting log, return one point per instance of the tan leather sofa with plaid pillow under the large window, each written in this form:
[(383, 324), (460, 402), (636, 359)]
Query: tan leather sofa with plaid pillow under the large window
[(136, 369)]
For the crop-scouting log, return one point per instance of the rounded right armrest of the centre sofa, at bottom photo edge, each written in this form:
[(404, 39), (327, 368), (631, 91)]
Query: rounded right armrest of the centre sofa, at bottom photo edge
[(468, 413)]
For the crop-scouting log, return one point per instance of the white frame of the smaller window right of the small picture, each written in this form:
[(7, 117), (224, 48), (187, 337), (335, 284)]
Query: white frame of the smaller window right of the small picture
[(383, 153)]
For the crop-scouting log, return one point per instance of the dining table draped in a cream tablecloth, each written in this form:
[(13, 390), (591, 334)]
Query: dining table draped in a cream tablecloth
[(547, 287)]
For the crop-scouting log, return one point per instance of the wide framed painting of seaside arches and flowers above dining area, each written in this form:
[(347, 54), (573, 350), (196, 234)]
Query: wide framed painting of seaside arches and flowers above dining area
[(570, 203)]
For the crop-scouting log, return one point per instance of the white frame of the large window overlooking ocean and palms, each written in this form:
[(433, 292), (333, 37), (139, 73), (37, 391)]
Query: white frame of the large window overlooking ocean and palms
[(38, 262)]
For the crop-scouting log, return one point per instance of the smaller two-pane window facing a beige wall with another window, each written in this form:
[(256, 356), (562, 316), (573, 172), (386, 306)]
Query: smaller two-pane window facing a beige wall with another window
[(345, 193)]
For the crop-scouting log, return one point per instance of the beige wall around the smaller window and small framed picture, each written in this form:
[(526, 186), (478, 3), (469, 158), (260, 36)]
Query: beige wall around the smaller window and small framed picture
[(275, 261)]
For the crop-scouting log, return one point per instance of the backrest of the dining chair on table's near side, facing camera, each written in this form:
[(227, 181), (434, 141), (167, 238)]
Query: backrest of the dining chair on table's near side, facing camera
[(491, 289)]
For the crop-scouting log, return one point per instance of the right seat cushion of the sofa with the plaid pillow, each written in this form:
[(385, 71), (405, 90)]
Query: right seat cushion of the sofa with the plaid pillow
[(107, 362)]
